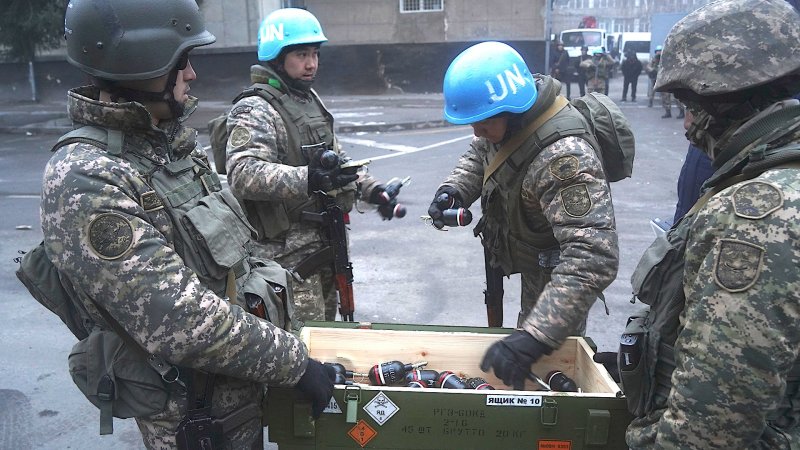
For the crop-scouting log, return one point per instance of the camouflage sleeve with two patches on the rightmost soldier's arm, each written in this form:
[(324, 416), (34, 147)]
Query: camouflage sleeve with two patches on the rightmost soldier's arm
[(741, 323)]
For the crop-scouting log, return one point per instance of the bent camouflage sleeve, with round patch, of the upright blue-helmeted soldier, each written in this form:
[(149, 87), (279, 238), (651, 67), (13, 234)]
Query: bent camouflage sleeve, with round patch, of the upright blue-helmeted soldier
[(257, 148)]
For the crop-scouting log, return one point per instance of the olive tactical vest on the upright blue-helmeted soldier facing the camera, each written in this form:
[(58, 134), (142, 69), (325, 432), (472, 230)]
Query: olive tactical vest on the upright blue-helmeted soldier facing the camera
[(306, 124)]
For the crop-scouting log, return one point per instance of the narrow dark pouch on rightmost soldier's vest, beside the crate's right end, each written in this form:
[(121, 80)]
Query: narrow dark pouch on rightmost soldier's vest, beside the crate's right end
[(633, 361)]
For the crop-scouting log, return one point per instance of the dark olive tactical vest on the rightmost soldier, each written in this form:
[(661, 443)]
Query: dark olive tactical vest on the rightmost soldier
[(646, 354)]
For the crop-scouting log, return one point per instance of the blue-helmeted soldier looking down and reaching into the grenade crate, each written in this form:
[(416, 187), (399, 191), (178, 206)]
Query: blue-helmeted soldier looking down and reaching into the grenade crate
[(547, 213)]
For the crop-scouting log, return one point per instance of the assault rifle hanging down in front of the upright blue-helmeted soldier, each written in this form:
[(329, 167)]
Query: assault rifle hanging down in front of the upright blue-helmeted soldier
[(334, 223)]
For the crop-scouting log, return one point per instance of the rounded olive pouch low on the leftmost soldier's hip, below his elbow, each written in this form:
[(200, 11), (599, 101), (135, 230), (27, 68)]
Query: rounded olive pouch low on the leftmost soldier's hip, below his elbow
[(116, 379)]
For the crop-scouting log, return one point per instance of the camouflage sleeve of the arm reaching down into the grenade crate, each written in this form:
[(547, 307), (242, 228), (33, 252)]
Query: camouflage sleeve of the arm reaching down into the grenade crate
[(566, 184)]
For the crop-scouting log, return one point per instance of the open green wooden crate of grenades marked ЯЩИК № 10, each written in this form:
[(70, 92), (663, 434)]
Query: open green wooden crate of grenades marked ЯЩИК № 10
[(392, 417)]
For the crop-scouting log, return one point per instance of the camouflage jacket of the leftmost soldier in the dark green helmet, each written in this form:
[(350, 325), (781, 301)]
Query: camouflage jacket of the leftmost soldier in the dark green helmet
[(146, 287)]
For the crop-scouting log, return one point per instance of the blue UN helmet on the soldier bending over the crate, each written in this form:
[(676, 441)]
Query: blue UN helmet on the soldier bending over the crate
[(485, 80)]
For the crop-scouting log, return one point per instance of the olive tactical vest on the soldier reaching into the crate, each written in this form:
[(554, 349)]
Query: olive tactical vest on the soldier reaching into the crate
[(505, 232)]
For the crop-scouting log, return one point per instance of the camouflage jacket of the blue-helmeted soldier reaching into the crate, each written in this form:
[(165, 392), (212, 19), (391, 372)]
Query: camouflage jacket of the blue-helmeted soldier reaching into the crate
[(589, 253)]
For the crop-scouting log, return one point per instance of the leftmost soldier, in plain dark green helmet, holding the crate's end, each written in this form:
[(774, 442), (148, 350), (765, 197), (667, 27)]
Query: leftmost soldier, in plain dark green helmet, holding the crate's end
[(110, 227)]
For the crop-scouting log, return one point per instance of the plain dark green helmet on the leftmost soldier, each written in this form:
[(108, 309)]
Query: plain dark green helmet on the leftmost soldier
[(132, 39)]
